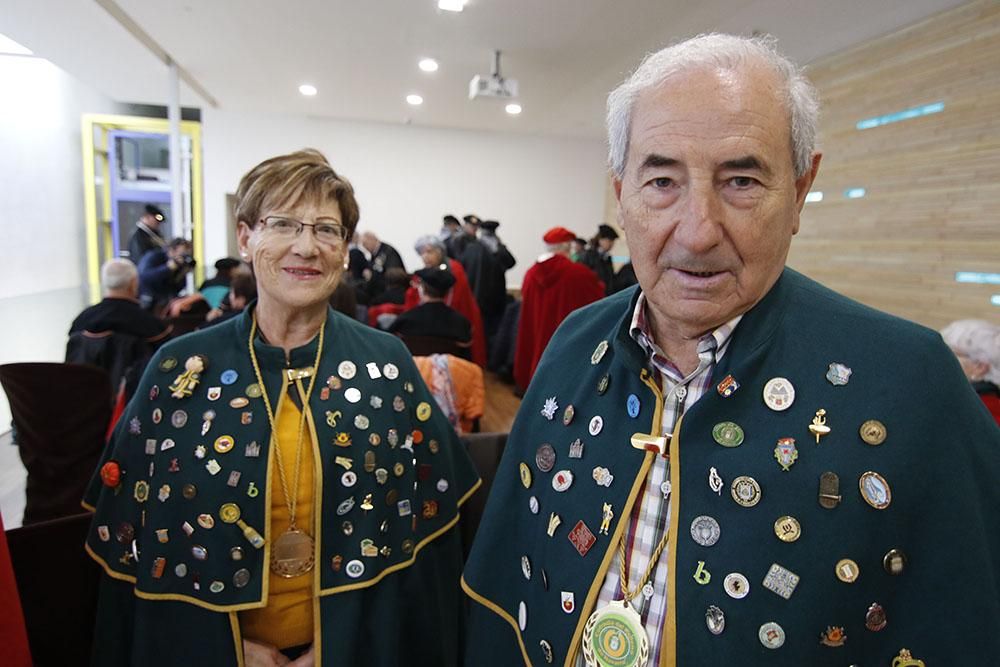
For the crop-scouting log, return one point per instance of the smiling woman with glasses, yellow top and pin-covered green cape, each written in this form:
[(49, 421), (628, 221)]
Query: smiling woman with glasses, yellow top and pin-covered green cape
[(283, 489)]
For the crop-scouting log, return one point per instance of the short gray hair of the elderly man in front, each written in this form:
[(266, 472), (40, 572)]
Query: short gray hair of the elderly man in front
[(717, 51)]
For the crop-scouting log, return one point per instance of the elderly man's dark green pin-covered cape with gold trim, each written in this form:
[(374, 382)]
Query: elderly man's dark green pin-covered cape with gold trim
[(940, 459)]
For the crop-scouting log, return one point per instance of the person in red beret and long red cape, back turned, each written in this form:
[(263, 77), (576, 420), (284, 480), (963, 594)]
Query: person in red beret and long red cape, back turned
[(552, 289)]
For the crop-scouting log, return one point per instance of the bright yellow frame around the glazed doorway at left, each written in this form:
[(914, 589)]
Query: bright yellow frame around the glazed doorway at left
[(106, 123)]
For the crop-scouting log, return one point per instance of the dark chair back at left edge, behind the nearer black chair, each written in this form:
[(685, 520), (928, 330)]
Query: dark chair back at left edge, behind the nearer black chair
[(61, 412)]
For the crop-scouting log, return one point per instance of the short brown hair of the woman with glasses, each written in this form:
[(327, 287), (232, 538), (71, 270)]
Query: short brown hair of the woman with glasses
[(293, 178)]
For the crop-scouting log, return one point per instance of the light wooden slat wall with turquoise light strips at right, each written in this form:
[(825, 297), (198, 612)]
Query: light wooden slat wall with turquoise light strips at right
[(933, 183)]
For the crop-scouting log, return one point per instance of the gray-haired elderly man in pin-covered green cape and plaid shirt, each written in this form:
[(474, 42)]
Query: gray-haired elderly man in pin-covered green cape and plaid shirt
[(731, 464)]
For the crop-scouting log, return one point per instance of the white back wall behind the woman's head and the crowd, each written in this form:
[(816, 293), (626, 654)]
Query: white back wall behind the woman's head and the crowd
[(406, 178)]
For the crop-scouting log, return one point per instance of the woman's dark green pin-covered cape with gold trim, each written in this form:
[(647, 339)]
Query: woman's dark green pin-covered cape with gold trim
[(179, 570)]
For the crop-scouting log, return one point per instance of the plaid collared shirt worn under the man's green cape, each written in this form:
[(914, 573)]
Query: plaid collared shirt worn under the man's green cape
[(650, 518)]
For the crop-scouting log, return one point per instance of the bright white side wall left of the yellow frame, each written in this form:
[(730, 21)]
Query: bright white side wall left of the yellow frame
[(42, 236)]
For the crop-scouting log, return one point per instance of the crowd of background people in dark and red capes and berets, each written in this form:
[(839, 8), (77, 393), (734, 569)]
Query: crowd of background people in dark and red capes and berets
[(460, 294)]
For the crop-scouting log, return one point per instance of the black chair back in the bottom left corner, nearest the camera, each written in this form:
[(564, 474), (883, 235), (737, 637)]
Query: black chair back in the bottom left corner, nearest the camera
[(58, 584)]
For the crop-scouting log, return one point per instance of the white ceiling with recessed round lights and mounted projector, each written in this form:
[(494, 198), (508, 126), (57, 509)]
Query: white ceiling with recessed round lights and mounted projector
[(362, 55)]
